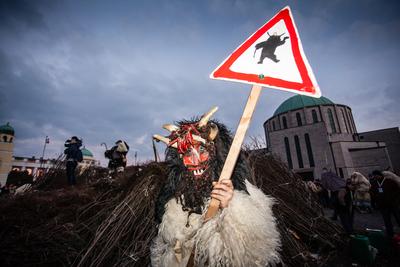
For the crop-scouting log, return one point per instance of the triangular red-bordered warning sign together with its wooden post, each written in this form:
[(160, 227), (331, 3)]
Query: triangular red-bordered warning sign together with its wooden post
[(280, 64)]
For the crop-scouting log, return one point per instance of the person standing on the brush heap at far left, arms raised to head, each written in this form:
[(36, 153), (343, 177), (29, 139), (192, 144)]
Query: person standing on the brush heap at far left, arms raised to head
[(74, 155)]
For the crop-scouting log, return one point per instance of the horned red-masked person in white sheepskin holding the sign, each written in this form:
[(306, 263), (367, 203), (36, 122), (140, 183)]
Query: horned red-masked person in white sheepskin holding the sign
[(242, 233)]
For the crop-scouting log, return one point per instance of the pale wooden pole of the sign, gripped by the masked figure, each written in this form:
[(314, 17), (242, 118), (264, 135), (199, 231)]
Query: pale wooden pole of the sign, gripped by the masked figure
[(237, 142)]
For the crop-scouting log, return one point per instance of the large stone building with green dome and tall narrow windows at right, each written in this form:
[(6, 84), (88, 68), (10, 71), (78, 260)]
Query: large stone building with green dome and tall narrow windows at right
[(310, 134)]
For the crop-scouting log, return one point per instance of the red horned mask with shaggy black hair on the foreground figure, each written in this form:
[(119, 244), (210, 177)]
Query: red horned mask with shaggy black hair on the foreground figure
[(196, 154)]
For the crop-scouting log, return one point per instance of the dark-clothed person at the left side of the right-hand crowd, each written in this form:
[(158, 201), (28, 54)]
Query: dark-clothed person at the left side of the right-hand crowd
[(341, 198)]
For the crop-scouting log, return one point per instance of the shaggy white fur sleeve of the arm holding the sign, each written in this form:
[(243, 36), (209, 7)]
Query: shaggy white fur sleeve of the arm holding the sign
[(243, 234)]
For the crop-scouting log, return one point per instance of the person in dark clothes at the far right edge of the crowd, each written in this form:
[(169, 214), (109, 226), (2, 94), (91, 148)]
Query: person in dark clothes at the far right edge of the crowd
[(386, 194)]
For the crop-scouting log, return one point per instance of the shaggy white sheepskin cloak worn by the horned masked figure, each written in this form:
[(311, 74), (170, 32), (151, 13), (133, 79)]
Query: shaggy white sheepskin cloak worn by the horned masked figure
[(243, 234)]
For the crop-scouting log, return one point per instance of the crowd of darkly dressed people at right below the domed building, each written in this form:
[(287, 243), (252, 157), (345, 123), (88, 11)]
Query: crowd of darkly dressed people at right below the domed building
[(380, 191)]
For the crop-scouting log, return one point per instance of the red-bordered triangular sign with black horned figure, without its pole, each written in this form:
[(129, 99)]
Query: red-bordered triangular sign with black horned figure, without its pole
[(273, 56)]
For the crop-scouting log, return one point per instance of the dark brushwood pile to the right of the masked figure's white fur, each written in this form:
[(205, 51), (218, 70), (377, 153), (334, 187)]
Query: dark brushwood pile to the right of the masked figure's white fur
[(308, 237)]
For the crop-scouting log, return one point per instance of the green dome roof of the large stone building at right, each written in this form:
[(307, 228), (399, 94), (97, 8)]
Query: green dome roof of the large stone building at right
[(300, 101)]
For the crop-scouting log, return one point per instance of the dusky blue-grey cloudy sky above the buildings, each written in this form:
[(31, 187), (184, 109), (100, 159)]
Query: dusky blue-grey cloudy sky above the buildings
[(108, 70)]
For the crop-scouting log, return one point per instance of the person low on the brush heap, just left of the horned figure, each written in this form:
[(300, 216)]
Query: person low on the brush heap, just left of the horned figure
[(117, 156)]
